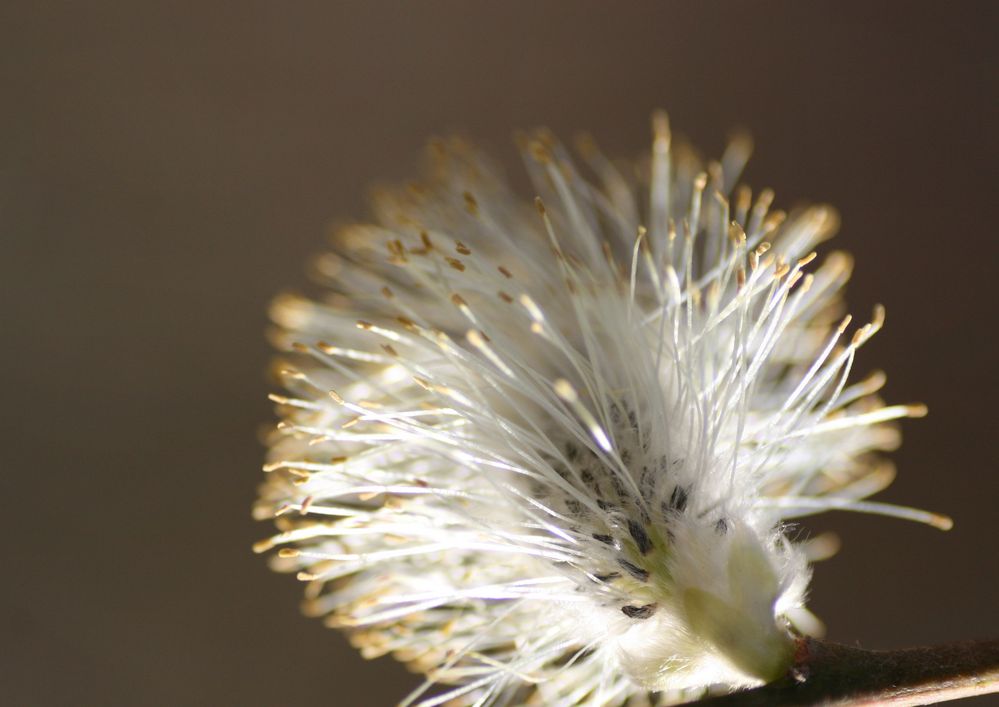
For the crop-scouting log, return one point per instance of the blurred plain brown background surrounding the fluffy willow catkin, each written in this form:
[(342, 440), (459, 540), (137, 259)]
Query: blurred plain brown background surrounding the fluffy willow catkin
[(166, 167)]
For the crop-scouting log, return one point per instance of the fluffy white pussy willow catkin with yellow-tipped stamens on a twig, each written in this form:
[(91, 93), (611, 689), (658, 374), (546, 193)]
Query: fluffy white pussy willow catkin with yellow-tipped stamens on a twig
[(549, 451)]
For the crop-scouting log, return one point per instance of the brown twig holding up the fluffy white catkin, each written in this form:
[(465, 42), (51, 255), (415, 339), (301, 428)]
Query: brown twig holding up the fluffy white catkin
[(833, 674)]
